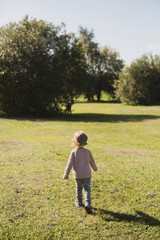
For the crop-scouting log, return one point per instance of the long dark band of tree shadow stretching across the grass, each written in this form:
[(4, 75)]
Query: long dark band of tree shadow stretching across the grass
[(88, 117)]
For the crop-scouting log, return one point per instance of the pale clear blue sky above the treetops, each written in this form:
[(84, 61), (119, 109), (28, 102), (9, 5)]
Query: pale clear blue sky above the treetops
[(131, 27)]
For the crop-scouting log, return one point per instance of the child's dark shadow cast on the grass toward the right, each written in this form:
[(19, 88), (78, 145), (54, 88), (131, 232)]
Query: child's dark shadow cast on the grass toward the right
[(140, 217)]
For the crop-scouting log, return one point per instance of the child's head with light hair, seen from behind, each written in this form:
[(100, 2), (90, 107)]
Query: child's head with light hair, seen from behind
[(80, 139)]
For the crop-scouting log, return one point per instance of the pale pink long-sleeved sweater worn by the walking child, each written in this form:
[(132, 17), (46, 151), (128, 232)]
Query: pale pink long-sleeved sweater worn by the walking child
[(80, 161)]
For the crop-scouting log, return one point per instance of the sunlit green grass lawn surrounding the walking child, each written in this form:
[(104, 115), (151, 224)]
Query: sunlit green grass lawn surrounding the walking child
[(36, 203)]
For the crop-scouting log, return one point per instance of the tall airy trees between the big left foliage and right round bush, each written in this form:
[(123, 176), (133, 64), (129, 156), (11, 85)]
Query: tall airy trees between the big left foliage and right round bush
[(103, 66)]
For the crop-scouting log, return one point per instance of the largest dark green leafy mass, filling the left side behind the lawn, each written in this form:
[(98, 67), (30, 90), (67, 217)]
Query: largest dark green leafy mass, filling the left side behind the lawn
[(40, 67)]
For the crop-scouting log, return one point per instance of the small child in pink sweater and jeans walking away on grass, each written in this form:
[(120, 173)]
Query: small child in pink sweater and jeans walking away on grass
[(80, 161)]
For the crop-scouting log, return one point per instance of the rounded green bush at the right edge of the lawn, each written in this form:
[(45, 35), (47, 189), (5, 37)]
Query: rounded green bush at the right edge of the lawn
[(140, 83)]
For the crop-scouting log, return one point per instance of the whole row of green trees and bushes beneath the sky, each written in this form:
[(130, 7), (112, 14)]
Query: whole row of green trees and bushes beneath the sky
[(42, 68)]
